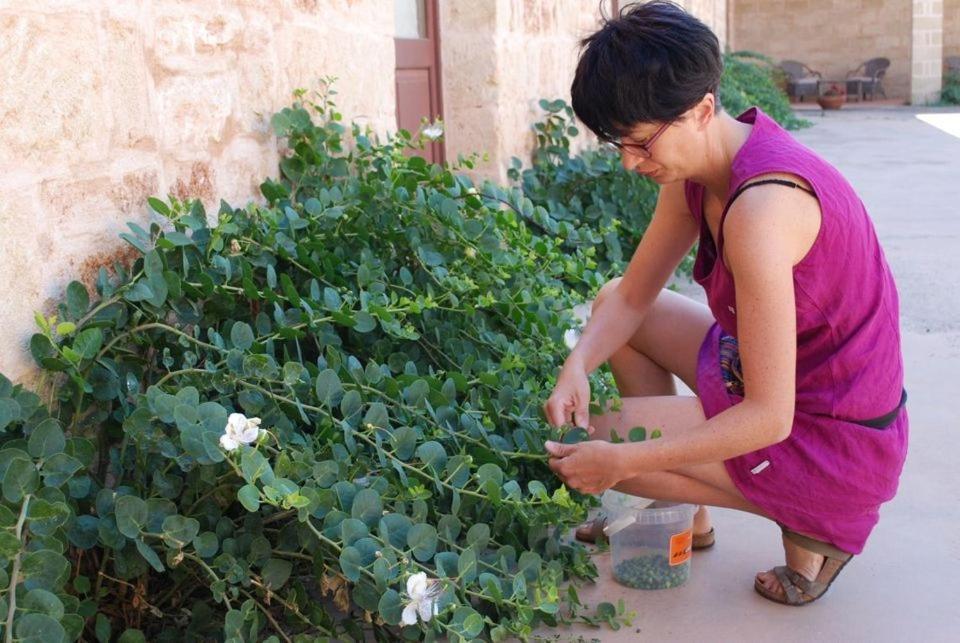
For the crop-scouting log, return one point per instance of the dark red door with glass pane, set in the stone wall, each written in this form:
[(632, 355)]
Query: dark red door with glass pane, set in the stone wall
[(418, 68)]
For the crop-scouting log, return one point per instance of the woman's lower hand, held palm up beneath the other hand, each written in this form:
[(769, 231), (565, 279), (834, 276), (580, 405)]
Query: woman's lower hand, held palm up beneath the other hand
[(589, 467)]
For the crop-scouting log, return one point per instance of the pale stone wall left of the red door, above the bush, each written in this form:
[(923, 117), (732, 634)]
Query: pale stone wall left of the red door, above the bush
[(105, 103)]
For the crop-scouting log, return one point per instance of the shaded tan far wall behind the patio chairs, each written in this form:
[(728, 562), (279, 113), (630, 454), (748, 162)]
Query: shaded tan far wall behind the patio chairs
[(831, 37)]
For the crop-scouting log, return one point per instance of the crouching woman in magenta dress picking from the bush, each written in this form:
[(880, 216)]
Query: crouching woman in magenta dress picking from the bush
[(796, 362)]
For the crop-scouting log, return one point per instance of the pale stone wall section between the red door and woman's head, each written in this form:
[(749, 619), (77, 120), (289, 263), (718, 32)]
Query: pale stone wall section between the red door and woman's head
[(499, 58)]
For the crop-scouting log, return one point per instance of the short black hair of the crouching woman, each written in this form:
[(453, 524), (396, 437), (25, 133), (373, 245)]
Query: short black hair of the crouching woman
[(651, 64)]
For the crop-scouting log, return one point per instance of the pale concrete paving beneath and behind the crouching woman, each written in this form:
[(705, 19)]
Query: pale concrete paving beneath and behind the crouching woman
[(906, 584)]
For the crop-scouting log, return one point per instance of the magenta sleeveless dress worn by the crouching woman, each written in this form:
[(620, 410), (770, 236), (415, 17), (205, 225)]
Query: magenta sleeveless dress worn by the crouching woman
[(830, 476)]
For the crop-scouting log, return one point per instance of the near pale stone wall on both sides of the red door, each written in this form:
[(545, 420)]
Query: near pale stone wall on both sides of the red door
[(106, 103)]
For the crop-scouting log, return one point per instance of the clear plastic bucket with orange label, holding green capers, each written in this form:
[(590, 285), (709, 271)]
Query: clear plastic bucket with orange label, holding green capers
[(650, 542)]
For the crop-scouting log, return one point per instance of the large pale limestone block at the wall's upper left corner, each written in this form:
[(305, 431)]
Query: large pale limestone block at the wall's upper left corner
[(52, 79)]
